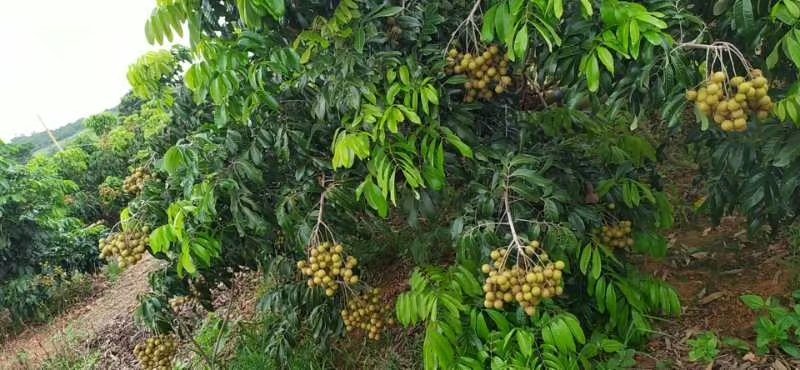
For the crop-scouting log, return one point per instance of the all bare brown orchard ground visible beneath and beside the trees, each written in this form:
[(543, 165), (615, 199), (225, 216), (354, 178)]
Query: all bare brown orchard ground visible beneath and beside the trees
[(710, 266)]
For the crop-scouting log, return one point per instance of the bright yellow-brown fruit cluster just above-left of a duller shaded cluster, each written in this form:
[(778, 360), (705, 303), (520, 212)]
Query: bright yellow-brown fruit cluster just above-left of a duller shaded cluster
[(327, 266)]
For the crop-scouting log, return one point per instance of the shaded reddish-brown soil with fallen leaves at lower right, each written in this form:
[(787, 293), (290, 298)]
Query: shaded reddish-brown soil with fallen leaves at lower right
[(711, 268)]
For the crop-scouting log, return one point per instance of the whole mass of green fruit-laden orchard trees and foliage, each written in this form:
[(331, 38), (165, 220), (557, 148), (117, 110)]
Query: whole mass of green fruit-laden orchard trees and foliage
[(420, 184)]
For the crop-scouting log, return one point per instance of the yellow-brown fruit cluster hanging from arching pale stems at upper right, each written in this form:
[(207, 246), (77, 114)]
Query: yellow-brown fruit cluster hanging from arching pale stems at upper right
[(729, 101)]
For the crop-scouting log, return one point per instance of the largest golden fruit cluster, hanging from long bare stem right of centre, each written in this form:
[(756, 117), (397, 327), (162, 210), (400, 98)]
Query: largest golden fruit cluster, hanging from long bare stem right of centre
[(533, 278)]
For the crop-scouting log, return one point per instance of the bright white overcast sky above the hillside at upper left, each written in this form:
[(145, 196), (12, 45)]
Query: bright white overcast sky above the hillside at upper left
[(65, 59)]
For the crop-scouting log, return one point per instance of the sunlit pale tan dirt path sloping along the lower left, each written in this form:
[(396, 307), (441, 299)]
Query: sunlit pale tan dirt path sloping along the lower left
[(38, 343)]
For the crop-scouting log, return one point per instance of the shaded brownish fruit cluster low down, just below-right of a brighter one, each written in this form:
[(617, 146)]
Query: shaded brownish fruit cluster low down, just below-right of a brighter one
[(366, 312)]
